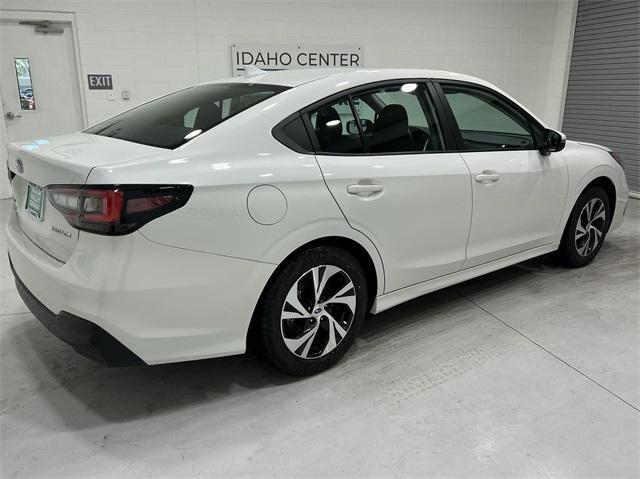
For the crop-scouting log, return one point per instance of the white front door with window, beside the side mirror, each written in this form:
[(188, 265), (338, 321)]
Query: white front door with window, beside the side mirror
[(518, 193)]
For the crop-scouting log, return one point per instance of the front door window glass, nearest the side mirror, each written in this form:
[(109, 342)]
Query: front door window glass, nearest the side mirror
[(487, 122)]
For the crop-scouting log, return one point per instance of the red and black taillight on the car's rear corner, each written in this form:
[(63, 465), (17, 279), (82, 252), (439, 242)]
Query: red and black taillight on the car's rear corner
[(116, 209)]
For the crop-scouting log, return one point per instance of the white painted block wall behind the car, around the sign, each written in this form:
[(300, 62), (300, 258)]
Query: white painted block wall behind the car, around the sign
[(155, 46)]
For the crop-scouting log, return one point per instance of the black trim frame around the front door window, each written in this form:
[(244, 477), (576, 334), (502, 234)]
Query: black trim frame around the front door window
[(452, 124)]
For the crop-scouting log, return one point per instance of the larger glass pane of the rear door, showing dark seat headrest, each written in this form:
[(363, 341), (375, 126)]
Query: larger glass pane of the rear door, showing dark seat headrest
[(398, 118)]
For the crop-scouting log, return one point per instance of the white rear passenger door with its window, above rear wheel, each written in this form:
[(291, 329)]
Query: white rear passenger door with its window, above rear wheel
[(382, 155)]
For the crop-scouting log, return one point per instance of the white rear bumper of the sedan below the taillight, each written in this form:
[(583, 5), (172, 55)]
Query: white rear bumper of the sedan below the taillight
[(163, 304)]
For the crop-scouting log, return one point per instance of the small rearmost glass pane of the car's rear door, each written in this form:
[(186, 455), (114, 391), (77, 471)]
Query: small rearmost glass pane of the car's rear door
[(331, 126)]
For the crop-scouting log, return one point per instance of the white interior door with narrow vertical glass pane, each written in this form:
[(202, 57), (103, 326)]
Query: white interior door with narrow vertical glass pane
[(38, 84)]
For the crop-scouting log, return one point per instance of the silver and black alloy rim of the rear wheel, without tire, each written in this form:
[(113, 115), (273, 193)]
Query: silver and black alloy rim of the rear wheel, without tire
[(318, 311)]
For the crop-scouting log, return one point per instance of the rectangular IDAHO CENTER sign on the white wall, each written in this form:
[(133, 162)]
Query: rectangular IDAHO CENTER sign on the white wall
[(287, 57)]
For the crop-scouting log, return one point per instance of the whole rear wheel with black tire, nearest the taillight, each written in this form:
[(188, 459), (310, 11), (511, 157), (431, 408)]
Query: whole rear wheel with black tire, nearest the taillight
[(312, 311)]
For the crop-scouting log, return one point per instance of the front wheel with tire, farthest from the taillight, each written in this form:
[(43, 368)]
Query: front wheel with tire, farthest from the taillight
[(586, 228)]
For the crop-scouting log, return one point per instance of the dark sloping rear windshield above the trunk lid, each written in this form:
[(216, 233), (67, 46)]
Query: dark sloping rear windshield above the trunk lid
[(172, 120)]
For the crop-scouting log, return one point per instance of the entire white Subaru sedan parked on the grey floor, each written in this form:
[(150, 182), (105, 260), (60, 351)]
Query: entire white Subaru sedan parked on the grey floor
[(279, 209)]
